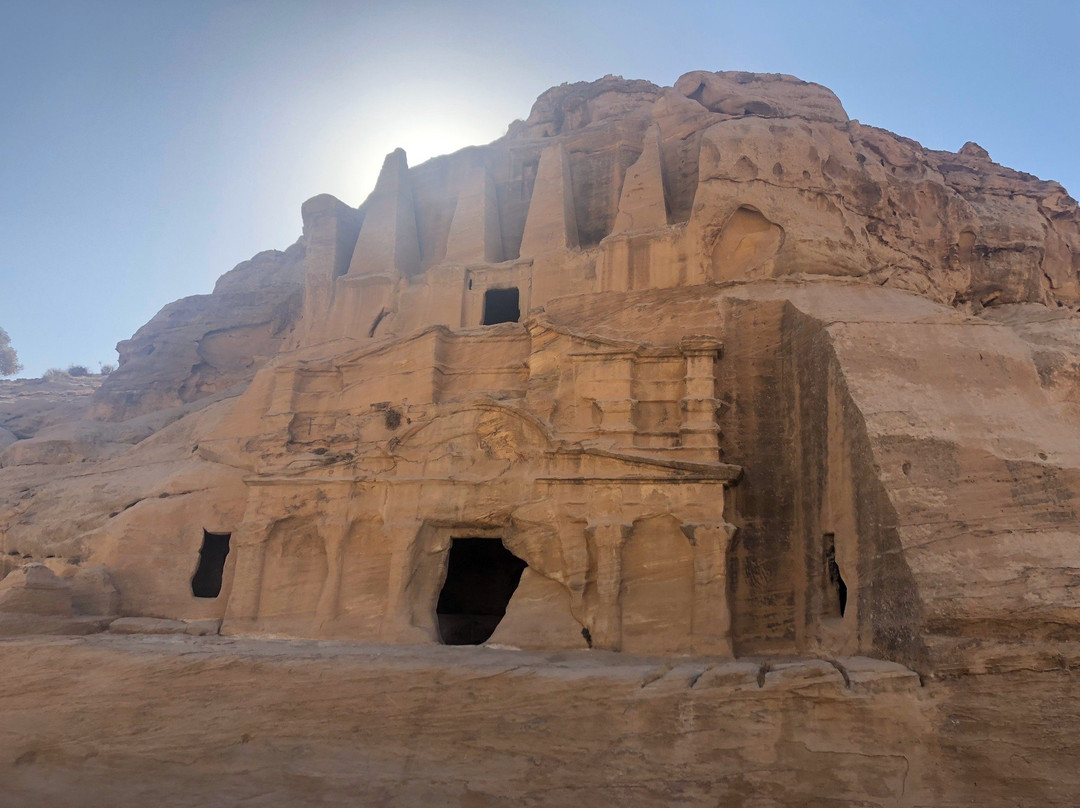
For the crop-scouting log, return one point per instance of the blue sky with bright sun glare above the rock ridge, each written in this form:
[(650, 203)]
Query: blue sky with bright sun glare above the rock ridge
[(146, 147)]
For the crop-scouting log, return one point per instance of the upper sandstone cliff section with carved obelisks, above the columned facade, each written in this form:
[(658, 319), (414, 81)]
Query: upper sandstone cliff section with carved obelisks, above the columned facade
[(733, 177)]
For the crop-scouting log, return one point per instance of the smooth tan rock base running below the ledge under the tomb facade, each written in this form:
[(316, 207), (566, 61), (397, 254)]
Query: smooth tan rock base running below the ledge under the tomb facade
[(292, 723)]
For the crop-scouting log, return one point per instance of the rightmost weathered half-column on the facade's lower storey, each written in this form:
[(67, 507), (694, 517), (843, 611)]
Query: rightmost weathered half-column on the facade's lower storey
[(711, 620)]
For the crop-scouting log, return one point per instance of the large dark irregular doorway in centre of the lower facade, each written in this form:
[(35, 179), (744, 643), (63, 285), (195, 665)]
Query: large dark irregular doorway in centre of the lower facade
[(481, 577)]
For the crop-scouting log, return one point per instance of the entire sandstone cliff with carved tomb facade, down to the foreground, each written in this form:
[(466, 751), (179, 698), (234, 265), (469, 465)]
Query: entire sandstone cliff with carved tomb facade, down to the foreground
[(710, 373)]
